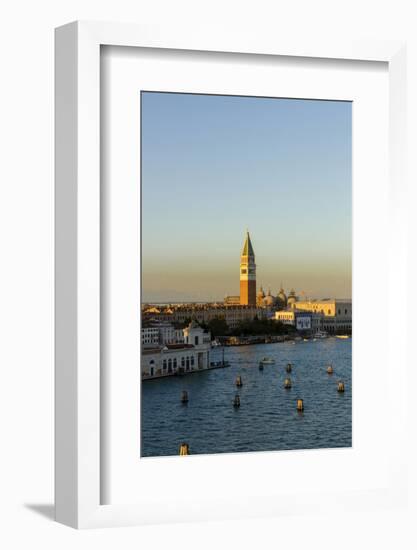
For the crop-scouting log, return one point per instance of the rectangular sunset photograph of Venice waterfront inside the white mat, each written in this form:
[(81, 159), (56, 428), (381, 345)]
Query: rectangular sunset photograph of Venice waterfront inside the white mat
[(246, 274)]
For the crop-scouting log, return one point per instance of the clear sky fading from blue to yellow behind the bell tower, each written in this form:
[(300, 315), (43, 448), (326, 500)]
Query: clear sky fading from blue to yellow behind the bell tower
[(214, 166)]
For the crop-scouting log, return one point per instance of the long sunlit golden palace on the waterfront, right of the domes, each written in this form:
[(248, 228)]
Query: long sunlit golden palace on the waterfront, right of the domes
[(337, 313)]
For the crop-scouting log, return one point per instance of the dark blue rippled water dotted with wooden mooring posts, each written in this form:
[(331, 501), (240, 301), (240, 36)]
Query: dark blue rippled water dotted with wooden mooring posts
[(267, 418)]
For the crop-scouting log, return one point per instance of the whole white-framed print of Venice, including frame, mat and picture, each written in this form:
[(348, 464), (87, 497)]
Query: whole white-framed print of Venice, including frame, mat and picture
[(224, 234)]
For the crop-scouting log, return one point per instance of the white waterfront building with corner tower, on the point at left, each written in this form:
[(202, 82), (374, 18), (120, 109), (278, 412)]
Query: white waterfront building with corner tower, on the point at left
[(190, 356)]
